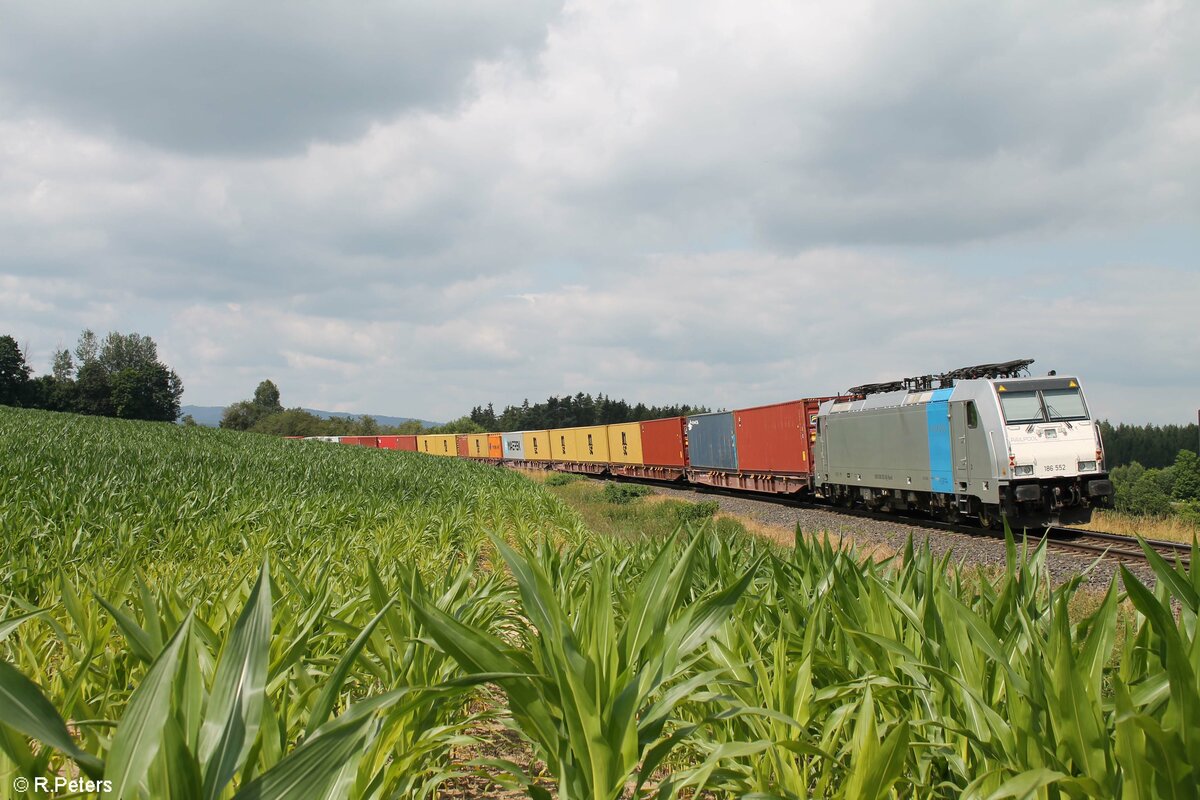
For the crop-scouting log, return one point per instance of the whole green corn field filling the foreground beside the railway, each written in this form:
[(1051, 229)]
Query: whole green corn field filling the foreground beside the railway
[(191, 613)]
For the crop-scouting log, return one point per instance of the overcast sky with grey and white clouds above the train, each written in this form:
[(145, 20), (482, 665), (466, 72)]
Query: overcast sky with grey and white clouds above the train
[(413, 208)]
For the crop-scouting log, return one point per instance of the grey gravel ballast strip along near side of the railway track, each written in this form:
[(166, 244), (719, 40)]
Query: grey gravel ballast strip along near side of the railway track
[(892, 537)]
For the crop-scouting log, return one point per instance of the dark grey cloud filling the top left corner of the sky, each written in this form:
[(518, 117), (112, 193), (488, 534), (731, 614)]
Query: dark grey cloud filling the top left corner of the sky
[(251, 80)]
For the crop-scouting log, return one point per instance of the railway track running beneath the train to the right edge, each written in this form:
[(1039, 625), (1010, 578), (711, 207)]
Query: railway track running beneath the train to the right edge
[(1066, 540)]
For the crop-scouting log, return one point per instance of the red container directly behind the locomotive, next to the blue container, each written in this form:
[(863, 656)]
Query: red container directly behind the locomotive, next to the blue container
[(777, 440)]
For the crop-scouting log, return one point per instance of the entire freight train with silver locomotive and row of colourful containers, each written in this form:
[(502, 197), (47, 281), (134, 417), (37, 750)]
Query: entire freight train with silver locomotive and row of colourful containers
[(986, 443)]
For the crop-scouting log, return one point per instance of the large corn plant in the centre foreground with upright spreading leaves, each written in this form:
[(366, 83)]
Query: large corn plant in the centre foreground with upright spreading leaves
[(592, 689)]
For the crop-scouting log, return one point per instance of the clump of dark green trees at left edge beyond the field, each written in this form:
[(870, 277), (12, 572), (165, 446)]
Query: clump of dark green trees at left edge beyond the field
[(119, 376)]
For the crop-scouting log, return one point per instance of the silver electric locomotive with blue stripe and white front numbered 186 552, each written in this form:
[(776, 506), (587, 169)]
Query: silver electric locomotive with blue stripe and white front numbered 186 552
[(980, 442)]
